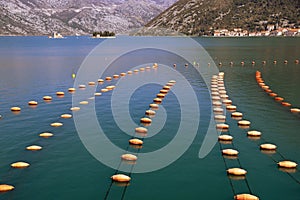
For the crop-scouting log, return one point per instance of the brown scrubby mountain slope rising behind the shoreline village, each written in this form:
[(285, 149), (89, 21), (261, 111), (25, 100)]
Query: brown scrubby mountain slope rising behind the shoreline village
[(196, 17)]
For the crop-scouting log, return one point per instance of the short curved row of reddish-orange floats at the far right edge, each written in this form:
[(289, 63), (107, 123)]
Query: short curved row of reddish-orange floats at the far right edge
[(271, 93)]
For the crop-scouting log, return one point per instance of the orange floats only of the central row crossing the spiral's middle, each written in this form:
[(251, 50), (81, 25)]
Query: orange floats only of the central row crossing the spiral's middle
[(142, 131)]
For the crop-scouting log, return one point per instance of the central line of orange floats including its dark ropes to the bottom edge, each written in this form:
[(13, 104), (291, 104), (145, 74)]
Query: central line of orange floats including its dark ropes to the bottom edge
[(137, 142)]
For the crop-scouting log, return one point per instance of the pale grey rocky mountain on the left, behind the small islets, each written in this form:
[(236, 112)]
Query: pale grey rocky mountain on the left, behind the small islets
[(43, 17)]
